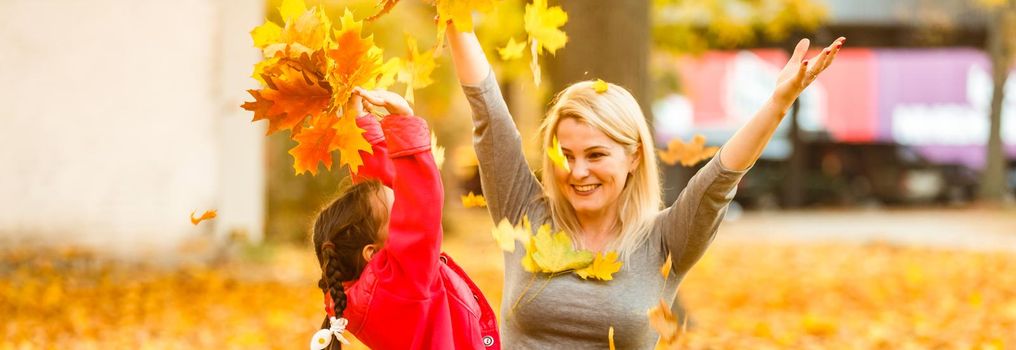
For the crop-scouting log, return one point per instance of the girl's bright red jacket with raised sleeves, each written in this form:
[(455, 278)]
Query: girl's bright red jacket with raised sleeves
[(411, 296)]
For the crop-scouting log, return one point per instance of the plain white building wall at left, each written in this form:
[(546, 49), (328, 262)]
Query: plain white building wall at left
[(118, 119)]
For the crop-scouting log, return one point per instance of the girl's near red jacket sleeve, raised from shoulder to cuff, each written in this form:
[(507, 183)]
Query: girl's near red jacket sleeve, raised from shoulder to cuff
[(415, 232)]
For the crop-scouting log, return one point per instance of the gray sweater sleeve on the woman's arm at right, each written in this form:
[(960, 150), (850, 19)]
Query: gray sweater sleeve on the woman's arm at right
[(690, 224)]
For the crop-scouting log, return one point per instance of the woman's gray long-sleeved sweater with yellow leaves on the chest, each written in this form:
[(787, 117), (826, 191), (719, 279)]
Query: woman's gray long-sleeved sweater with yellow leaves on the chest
[(566, 312)]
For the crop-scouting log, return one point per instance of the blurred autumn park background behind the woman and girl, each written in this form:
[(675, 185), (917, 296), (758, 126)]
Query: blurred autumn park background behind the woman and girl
[(880, 216)]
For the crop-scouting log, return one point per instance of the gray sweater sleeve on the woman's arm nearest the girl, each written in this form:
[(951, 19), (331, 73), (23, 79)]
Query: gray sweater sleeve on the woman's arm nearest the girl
[(509, 184)]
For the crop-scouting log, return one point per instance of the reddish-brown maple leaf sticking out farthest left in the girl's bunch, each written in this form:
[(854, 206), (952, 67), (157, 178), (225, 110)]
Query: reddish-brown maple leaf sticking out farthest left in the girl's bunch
[(291, 96)]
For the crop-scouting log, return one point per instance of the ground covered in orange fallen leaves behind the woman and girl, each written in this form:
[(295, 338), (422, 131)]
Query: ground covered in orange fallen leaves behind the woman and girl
[(743, 296)]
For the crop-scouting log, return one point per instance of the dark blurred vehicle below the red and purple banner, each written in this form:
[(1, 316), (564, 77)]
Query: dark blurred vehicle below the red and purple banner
[(853, 174)]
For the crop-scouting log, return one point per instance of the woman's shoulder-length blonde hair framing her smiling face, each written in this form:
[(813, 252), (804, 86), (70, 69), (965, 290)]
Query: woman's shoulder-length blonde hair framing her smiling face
[(615, 113)]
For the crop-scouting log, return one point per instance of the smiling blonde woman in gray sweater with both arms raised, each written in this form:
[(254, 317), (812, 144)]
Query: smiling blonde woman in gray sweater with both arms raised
[(609, 200)]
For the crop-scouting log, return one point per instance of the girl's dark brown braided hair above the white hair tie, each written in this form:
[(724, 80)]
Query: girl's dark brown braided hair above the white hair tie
[(341, 232)]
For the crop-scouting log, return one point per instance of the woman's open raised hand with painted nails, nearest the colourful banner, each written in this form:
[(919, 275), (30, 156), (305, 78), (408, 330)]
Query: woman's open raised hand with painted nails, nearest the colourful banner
[(799, 74)]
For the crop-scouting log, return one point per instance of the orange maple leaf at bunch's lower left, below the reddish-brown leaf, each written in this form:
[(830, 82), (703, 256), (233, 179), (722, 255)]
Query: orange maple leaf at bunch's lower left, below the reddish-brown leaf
[(313, 145)]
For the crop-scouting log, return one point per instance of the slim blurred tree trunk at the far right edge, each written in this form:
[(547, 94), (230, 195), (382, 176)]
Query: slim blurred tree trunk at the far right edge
[(1000, 48)]
